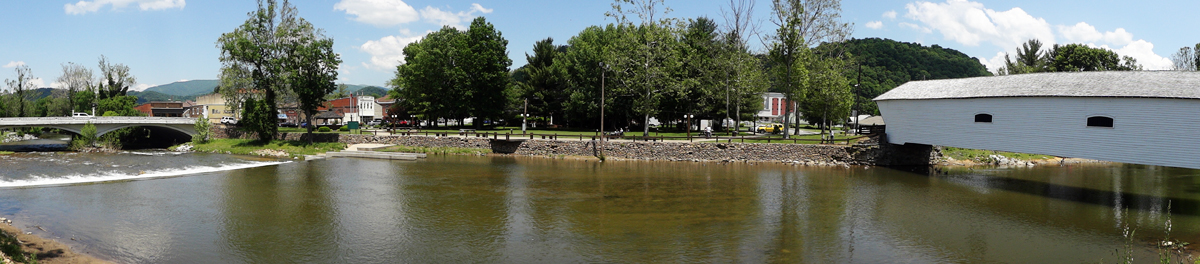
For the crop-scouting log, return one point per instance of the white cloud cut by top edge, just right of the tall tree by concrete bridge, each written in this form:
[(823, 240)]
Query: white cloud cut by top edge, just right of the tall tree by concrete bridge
[(379, 13)]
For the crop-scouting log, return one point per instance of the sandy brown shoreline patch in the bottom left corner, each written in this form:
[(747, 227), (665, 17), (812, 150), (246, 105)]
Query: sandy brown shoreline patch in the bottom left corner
[(47, 250)]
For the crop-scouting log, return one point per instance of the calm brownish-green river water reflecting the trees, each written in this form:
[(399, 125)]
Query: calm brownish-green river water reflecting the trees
[(158, 207)]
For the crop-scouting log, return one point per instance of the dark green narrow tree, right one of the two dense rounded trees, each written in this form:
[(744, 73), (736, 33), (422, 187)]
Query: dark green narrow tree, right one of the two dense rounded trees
[(489, 68)]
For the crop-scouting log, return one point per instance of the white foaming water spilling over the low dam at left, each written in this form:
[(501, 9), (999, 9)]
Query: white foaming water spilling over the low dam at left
[(38, 182)]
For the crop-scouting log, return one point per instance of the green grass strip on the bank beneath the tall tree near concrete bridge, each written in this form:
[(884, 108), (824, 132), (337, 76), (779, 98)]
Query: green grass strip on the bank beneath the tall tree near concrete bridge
[(245, 147)]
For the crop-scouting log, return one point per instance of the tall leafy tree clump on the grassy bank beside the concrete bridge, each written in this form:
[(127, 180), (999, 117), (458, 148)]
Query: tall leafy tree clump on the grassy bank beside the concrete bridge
[(275, 55)]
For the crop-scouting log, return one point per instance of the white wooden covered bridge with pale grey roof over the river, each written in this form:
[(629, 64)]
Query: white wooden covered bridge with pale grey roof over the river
[(1144, 118)]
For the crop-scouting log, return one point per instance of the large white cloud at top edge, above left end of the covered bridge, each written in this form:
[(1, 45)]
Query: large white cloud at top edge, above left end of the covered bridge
[(971, 25)]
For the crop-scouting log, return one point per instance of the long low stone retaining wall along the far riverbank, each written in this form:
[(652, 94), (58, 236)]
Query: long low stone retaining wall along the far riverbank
[(868, 153)]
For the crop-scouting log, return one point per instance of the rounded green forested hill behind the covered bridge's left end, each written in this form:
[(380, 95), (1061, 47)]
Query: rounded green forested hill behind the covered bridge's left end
[(889, 64)]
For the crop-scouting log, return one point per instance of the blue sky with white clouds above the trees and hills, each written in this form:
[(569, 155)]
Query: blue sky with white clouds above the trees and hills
[(167, 41)]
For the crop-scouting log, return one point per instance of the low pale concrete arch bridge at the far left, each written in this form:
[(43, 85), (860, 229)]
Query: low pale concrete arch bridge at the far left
[(104, 124)]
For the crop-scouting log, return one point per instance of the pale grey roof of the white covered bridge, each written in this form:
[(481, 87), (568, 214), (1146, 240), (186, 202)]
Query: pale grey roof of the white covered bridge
[(1154, 85)]
